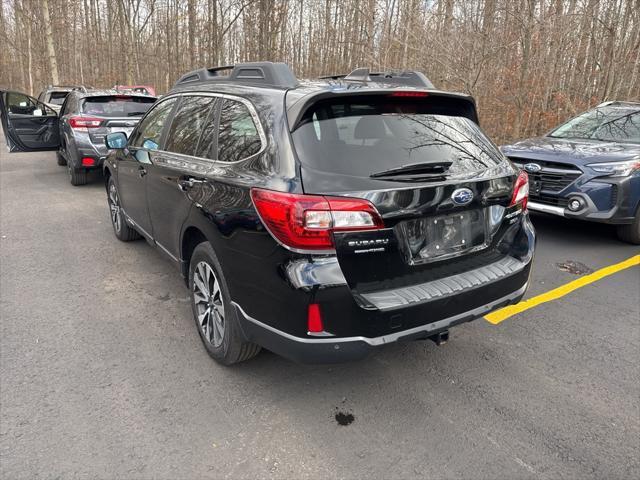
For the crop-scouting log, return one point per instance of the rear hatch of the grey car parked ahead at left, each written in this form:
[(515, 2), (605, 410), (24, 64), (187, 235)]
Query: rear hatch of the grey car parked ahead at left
[(116, 113)]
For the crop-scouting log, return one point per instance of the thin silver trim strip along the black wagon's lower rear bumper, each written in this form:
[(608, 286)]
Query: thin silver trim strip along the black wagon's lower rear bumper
[(392, 337)]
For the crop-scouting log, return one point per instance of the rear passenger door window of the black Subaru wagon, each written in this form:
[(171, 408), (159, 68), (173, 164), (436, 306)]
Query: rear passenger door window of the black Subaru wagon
[(188, 124)]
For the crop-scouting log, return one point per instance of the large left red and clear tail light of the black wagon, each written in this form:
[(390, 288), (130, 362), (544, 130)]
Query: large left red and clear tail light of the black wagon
[(306, 222)]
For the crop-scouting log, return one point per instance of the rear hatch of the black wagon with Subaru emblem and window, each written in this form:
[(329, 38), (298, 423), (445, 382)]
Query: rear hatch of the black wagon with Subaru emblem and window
[(442, 189)]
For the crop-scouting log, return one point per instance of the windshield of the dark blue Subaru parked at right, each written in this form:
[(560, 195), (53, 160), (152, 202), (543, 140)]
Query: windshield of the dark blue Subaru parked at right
[(605, 124)]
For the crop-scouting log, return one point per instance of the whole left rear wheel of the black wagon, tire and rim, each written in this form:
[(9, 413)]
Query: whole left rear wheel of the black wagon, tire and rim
[(213, 313)]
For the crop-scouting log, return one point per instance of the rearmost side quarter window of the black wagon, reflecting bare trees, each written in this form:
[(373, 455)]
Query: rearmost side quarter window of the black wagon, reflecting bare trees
[(238, 136)]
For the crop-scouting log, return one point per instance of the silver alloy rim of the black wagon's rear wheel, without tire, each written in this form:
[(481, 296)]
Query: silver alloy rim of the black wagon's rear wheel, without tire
[(209, 303)]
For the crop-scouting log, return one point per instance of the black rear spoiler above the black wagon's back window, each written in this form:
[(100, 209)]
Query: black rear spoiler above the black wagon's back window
[(442, 102)]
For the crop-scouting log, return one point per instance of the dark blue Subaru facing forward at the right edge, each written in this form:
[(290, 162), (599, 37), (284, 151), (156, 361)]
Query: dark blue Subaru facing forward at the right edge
[(588, 168)]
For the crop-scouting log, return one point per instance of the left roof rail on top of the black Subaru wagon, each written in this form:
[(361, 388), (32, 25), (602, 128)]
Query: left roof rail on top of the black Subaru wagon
[(256, 73)]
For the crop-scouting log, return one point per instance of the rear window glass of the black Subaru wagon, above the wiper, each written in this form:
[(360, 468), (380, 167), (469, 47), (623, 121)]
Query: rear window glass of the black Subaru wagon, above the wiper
[(365, 138)]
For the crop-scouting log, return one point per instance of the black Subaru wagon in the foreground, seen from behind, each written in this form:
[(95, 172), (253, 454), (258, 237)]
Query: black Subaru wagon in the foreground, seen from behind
[(322, 219)]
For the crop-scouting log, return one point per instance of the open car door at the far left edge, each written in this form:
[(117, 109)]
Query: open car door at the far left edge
[(29, 125)]
